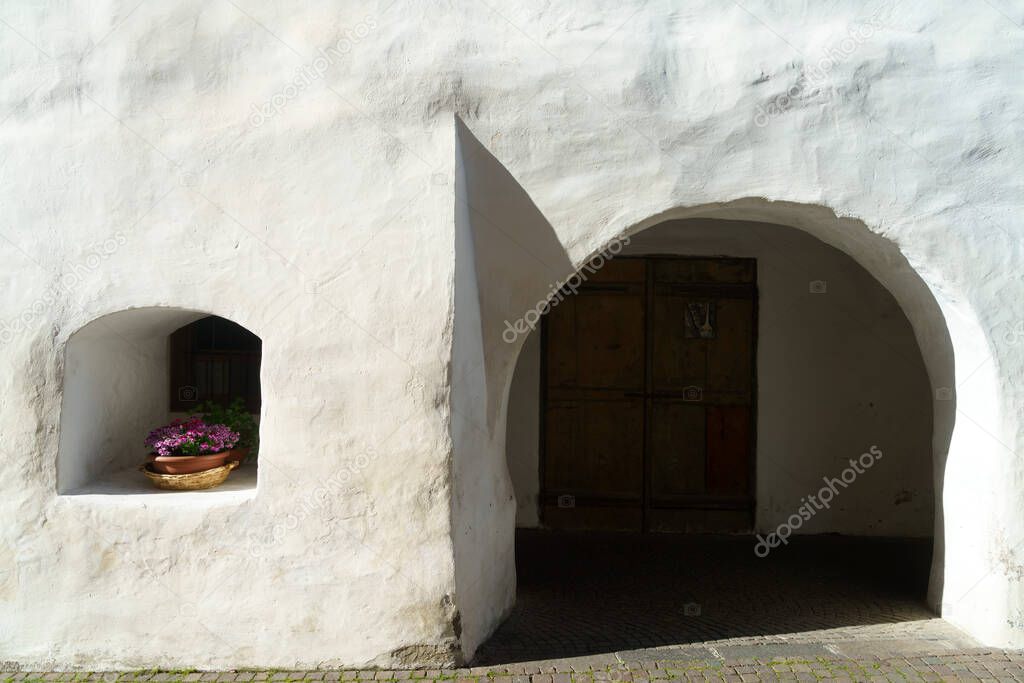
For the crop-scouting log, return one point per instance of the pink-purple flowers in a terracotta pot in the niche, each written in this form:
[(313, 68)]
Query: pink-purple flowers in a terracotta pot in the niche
[(190, 446)]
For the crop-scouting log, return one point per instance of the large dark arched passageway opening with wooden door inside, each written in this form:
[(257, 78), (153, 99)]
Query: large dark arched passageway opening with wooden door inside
[(721, 376)]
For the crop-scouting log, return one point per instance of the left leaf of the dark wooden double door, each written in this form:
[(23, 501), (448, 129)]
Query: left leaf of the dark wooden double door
[(594, 417)]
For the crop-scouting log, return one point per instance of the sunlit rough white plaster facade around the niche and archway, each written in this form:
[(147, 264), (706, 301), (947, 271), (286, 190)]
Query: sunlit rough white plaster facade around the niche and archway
[(373, 190)]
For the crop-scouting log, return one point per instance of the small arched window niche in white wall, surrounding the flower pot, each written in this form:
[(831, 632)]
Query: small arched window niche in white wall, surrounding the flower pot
[(133, 371)]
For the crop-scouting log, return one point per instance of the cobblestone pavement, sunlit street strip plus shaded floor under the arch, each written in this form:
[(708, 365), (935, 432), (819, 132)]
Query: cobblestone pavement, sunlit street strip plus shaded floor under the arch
[(594, 609)]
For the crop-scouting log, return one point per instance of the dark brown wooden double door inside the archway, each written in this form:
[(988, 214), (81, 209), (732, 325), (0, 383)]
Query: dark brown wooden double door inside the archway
[(649, 398)]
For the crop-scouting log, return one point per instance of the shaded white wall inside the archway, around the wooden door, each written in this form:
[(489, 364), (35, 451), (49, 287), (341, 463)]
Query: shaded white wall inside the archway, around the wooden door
[(838, 373)]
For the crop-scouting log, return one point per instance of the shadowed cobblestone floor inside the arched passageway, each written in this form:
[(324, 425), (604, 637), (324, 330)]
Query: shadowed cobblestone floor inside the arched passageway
[(589, 593)]
